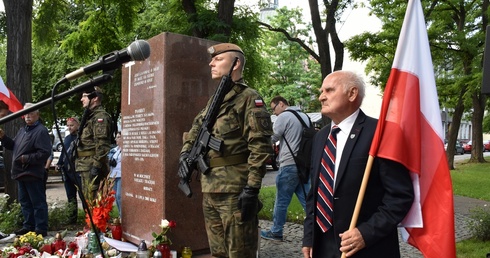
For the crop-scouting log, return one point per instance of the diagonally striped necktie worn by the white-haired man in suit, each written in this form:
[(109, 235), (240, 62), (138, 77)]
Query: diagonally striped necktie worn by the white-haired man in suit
[(324, 205)]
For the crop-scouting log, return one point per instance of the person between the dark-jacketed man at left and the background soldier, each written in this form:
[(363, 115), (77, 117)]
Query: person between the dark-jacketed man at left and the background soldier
[(70, 178)]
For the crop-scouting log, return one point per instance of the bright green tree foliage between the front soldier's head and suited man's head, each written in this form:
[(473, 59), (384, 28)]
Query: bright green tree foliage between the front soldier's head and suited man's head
[(293, 73)]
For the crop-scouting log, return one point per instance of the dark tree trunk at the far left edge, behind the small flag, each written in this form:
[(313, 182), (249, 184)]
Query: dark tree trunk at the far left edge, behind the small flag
[(19, 69)]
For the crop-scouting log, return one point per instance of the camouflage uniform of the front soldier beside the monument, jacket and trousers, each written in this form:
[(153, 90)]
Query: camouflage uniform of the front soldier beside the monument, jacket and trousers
[(244, 126)]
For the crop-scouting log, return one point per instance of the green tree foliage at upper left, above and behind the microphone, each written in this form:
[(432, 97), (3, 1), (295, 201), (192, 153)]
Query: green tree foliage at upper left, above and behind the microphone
[(72, 34)]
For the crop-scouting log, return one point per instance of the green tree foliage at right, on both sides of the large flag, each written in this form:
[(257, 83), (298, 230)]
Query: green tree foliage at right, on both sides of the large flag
[(456, 33)]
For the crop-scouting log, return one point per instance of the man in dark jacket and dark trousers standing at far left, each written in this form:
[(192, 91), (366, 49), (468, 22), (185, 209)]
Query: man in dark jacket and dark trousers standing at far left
[(31, 148)]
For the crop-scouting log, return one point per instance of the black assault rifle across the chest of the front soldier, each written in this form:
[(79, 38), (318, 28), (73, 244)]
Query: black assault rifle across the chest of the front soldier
[(204, 140)]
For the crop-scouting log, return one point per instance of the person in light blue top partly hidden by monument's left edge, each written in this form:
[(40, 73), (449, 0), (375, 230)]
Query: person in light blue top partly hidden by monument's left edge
[(115, 157)]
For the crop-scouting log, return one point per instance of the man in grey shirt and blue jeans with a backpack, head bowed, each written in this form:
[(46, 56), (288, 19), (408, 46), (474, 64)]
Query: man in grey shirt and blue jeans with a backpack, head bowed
[(286, 127)]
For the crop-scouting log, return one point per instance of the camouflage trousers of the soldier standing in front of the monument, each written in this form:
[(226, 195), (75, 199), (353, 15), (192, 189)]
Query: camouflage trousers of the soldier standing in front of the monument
[(228, 236)]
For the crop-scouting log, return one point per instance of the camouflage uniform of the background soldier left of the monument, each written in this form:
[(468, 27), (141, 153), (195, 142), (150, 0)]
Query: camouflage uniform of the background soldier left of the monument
[(93, 148)]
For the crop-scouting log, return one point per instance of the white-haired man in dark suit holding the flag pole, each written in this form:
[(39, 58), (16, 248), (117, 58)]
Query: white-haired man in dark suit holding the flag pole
[(389, 193)]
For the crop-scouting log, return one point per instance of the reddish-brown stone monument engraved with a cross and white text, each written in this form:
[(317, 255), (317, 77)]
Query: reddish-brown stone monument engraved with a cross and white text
[(160, 98)]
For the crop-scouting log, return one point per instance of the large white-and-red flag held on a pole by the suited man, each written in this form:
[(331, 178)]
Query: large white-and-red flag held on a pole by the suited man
[(410, 131)]
